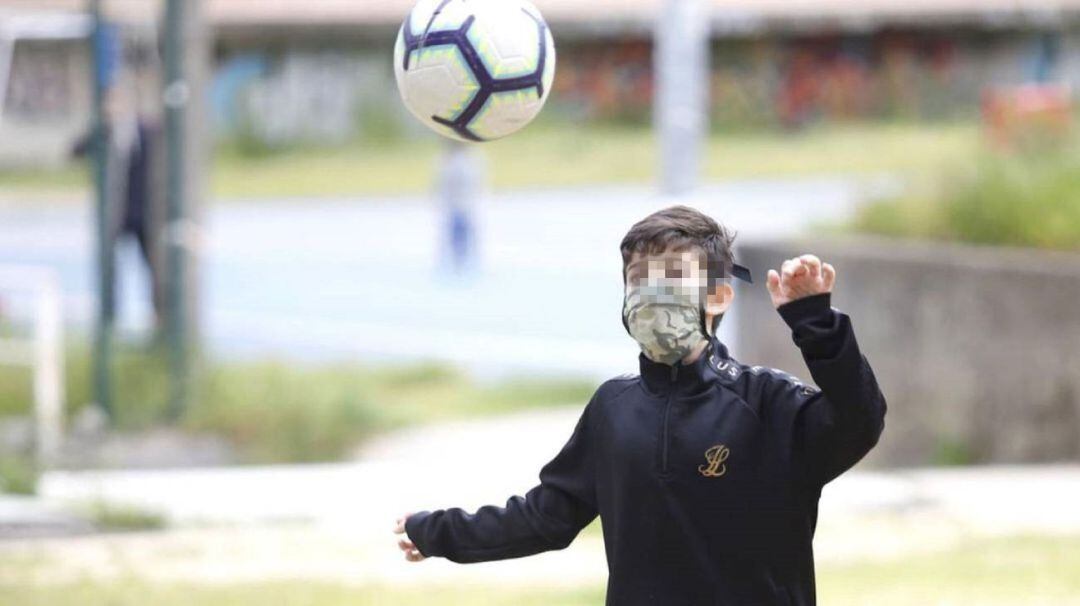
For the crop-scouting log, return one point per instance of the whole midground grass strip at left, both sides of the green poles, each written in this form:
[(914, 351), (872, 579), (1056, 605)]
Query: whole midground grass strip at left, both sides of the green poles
[(282, 412)]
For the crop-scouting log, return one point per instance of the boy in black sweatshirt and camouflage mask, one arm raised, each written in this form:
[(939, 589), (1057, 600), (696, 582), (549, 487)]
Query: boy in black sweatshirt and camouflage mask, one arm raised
[(706, 473)]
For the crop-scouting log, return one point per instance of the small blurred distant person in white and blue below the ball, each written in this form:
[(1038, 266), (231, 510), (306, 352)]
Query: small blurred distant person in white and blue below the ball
[(461, 185)]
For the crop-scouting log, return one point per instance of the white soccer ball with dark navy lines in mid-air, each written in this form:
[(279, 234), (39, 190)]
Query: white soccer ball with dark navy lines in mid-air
[(475, 71)]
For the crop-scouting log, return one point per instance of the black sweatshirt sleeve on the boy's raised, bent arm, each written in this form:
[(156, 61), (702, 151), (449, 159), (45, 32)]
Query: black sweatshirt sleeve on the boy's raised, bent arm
[(838, 426)]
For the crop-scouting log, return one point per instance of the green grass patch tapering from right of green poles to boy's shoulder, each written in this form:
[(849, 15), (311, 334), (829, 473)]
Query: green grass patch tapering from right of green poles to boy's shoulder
[(277, 412)]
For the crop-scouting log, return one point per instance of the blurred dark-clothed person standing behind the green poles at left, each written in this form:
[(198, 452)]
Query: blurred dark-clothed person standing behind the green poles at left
[(134, 186)]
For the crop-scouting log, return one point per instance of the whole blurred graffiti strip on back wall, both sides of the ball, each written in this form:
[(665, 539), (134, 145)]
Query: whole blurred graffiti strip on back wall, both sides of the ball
[(281, 97)]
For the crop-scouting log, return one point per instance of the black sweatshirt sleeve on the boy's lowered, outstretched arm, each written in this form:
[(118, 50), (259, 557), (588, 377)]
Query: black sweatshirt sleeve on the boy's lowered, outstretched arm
[(548, 518)]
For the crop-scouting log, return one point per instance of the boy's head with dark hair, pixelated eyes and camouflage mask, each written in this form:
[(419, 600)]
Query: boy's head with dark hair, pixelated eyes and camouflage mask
[(677, 264)]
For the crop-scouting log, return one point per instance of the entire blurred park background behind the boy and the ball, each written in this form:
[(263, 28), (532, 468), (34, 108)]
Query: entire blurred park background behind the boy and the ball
[(252, 312)]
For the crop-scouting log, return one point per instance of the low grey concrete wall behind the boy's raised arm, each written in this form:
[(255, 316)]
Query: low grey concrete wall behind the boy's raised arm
[(978, 351)]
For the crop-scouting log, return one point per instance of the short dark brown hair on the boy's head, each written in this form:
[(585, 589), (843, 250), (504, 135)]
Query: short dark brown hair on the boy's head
[(681, 228)]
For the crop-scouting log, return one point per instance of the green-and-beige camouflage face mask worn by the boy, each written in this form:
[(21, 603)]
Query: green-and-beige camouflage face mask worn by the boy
[(664, 315)]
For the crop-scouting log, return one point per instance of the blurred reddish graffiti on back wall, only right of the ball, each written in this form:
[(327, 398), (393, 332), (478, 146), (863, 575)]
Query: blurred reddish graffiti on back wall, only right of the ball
[(796, 82)]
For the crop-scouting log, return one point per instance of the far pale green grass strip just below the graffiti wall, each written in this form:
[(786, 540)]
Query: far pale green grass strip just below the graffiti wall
[(561, 155)]
